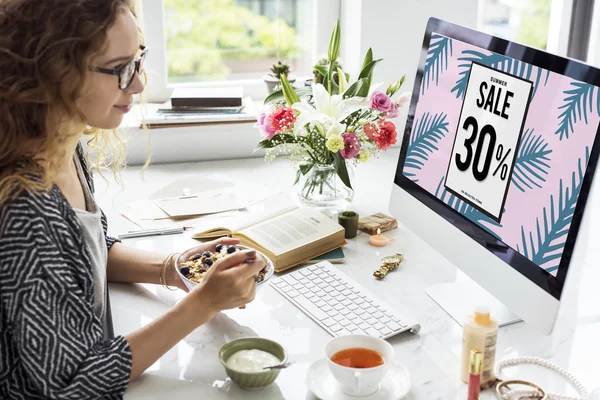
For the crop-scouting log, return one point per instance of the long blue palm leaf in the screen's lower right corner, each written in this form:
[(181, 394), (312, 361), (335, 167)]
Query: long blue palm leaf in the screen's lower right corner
[(551, 241)]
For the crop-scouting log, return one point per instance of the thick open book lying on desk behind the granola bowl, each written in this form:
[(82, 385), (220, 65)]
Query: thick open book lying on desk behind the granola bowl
[(288, 236)]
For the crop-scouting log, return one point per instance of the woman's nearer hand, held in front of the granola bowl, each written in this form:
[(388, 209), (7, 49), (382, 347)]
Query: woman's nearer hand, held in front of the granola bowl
[(229, 283)]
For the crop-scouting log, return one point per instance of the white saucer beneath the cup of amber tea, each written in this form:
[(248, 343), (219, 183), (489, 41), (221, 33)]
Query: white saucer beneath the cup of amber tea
[(321, 382)]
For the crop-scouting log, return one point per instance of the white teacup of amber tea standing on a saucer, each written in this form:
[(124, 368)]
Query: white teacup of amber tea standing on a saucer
[(359, 381)]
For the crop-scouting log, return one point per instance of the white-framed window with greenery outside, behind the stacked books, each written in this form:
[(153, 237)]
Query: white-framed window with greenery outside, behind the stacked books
[(231, 42)]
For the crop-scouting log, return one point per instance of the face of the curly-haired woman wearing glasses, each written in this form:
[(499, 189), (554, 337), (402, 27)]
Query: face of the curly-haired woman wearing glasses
[(104, 104)]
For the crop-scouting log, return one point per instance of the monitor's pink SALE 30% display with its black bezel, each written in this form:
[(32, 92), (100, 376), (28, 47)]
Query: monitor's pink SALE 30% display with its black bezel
[(501, 141)]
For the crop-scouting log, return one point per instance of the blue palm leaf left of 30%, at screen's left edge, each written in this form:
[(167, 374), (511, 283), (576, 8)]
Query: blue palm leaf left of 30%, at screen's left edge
[(427, 133)]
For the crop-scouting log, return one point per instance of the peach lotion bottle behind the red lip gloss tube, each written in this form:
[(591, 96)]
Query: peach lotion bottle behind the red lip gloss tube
[(480, 332)]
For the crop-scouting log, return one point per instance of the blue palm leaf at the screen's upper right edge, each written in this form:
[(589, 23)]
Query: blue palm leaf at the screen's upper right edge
[(575, 106)]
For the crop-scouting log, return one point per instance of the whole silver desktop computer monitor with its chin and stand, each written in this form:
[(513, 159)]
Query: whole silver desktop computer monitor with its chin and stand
[(497, 165)]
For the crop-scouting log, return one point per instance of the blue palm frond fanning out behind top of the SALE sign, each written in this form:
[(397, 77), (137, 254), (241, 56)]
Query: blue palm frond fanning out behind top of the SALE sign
[(497, 61)]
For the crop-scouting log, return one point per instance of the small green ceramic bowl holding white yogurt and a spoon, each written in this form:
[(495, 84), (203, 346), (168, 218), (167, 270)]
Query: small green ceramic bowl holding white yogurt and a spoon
[(252, 380)]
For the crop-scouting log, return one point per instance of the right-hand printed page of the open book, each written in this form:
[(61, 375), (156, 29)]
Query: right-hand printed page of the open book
[(292, 230)]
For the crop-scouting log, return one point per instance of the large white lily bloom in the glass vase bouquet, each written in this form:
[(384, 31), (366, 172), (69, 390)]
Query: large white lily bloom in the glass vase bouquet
[(329, 111)]
